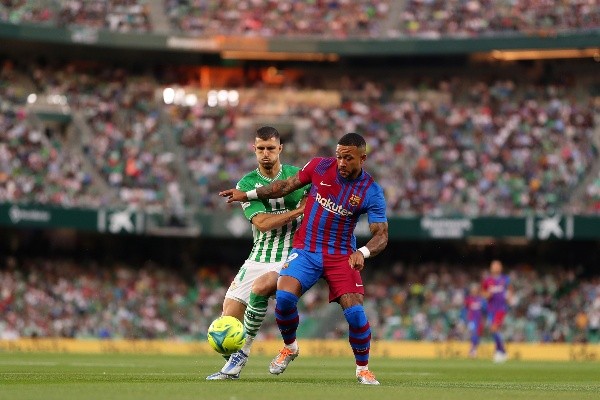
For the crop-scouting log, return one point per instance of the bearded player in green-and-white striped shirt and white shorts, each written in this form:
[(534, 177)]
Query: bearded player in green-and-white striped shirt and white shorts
[(274, 222)]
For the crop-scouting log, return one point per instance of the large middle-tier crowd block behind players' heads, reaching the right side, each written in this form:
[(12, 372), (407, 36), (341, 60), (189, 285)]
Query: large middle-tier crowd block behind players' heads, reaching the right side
[(460, 146)]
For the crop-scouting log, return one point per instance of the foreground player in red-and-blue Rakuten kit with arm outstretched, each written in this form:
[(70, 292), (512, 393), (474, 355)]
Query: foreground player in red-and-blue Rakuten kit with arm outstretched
[(325, 245)]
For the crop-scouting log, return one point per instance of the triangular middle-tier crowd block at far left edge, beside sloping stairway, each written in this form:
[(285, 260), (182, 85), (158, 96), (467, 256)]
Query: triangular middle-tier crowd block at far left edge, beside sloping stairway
[(35, 168)]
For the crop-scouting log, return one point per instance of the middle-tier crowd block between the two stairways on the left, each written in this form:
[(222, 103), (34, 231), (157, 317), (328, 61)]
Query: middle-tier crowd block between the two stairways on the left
[(126, 144)]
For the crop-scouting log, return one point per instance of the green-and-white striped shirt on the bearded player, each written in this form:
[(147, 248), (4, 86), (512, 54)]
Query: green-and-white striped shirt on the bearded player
[(272, 246)]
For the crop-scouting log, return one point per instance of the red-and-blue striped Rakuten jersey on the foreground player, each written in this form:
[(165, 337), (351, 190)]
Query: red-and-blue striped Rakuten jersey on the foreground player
[(333, 207)]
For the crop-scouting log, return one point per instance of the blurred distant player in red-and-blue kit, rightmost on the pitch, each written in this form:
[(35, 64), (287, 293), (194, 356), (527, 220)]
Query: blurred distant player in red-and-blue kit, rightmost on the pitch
[(495, 289)]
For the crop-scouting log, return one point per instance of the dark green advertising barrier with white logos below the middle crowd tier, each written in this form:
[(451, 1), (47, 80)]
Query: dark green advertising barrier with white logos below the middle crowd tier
[(234, 225)]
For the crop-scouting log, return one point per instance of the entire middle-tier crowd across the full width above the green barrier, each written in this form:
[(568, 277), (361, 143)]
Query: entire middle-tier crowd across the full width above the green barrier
[(451, 145)]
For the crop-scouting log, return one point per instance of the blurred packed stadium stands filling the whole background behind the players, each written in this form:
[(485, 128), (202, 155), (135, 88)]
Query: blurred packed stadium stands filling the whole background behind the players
[(127, 116)]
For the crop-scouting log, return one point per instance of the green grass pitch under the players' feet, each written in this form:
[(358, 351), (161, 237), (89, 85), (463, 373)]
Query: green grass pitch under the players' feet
[(124, 376)]
